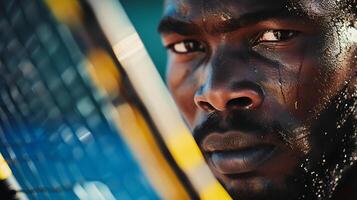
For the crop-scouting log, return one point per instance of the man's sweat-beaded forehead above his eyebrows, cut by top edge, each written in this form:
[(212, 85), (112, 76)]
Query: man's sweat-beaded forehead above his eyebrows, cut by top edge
[(223, 8)]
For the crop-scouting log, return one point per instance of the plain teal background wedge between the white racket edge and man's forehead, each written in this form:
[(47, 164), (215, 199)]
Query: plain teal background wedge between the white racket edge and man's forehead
[(145, 15)]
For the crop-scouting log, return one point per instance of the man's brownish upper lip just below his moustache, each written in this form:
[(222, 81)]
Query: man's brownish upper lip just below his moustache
[(233, 141)]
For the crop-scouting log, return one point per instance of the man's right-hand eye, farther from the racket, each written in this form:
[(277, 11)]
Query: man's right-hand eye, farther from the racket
[(275, 36)]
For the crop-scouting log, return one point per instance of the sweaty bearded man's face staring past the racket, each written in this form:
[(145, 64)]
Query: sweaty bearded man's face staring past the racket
[(269, 90)]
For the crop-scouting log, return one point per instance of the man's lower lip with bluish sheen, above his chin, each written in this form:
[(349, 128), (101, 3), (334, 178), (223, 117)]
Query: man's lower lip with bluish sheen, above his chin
[(242, 161)]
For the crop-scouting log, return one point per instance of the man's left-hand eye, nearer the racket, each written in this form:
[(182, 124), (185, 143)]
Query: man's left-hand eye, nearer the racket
[(187, 47)]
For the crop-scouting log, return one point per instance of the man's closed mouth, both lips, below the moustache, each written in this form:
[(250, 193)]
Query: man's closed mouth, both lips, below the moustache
[(234, 153)]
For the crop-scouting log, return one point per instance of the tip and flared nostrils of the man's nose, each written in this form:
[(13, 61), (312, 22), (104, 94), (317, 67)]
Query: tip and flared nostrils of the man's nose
[(247, 97)]
